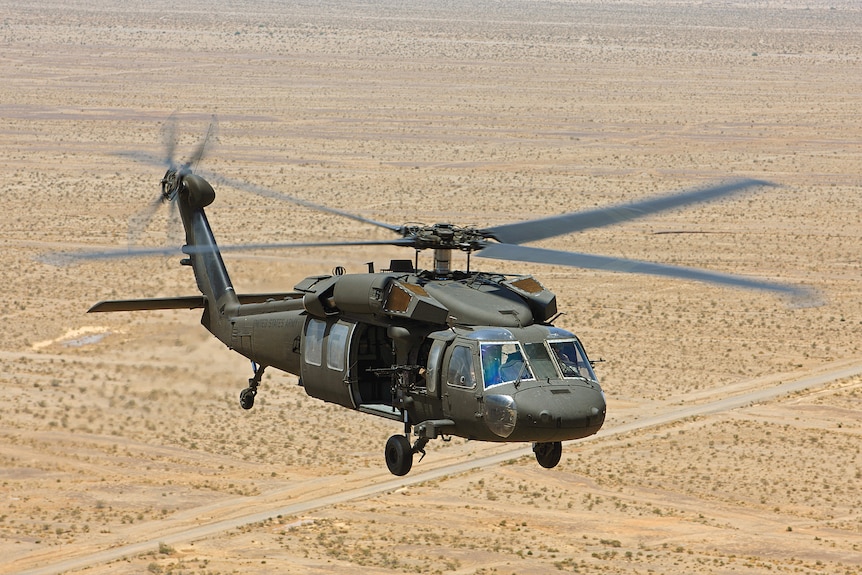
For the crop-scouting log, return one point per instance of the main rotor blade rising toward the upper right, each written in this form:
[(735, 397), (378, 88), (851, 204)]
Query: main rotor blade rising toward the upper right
[(532, 230)]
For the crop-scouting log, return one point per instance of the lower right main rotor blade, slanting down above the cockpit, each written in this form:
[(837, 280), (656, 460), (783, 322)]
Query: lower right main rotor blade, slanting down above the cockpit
[(801, 295)]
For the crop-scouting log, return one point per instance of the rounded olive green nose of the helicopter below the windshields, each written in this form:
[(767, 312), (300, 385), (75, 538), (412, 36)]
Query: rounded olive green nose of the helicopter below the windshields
[(560, 412)]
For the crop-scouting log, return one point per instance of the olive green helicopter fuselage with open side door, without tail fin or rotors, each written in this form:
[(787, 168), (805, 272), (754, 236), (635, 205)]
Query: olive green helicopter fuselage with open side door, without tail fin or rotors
[(362, 354)]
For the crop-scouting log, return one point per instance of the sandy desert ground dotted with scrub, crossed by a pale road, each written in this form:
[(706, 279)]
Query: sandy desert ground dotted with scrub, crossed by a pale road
[(732, 443)]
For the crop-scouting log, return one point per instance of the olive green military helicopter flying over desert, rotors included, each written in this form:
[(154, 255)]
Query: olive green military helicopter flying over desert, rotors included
[(444, 352)]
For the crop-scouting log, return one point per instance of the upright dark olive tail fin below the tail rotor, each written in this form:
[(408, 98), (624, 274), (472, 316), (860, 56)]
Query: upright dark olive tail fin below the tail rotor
[(194, 195)]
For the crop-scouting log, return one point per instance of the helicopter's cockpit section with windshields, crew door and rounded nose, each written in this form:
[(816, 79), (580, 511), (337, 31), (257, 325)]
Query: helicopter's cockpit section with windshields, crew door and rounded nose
[(531, 383)]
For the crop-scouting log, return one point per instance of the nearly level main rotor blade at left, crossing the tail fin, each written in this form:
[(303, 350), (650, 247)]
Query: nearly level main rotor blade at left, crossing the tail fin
[(65, 258)]
